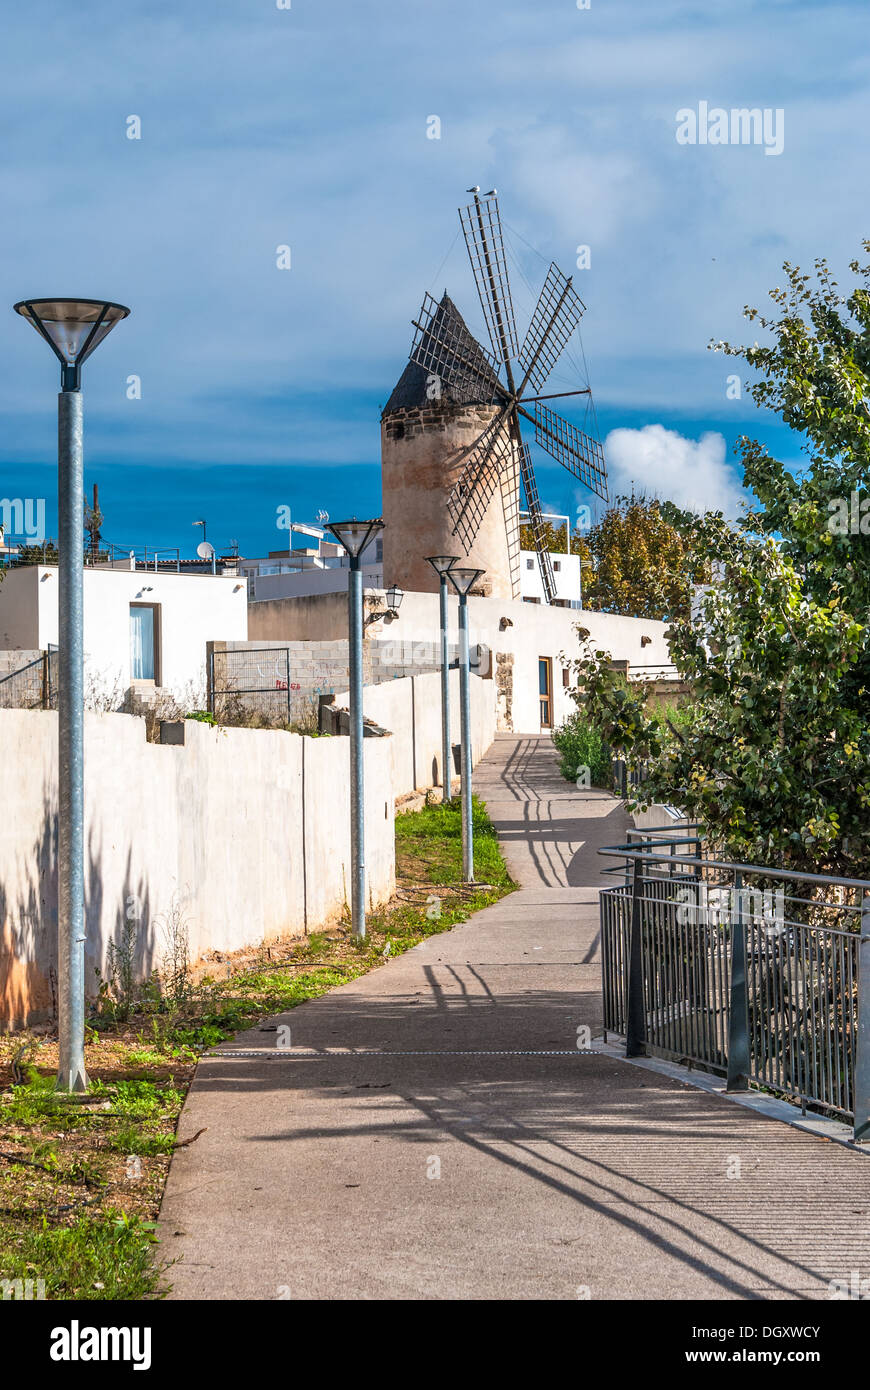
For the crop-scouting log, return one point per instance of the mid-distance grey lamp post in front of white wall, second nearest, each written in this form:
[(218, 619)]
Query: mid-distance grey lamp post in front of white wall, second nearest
[(355, 537)]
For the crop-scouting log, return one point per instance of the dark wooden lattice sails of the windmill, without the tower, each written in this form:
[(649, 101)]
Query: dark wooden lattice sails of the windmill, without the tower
[(511, 379)]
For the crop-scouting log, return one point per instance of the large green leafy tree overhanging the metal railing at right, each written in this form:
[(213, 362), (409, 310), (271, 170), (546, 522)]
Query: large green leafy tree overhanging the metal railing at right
[(775, 751)]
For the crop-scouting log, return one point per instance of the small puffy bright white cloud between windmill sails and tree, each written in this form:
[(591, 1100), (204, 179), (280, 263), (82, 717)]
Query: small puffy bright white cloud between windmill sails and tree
[(666, 465)]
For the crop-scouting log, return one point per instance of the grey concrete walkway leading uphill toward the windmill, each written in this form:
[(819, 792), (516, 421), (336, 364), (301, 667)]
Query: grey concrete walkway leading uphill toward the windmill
[(465, 1149)]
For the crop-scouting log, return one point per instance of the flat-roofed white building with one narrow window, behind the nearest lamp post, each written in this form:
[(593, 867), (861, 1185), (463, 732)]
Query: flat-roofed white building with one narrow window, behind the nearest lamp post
[(144, 632)]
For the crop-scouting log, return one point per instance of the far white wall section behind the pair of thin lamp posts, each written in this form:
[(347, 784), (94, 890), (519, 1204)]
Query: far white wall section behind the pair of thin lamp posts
[(411, 710)]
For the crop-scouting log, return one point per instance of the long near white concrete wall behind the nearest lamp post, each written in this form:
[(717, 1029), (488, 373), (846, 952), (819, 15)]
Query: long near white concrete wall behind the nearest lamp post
[(247, 831)]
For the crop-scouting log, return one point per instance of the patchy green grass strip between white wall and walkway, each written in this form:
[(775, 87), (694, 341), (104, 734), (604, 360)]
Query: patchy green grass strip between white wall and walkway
[(81, 1181)]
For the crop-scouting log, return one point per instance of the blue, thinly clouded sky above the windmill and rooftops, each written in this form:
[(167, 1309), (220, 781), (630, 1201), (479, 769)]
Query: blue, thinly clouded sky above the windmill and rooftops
[(309, 129)]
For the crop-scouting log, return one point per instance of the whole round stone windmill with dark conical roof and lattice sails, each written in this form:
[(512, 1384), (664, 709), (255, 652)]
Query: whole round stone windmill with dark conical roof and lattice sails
[(451, 445)]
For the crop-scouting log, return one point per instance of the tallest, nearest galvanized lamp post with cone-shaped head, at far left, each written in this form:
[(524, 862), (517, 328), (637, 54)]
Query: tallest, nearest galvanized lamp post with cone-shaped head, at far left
[(73, 329)]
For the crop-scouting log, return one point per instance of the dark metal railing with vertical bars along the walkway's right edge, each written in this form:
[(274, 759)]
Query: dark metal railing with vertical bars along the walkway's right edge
[(757, 974)]
